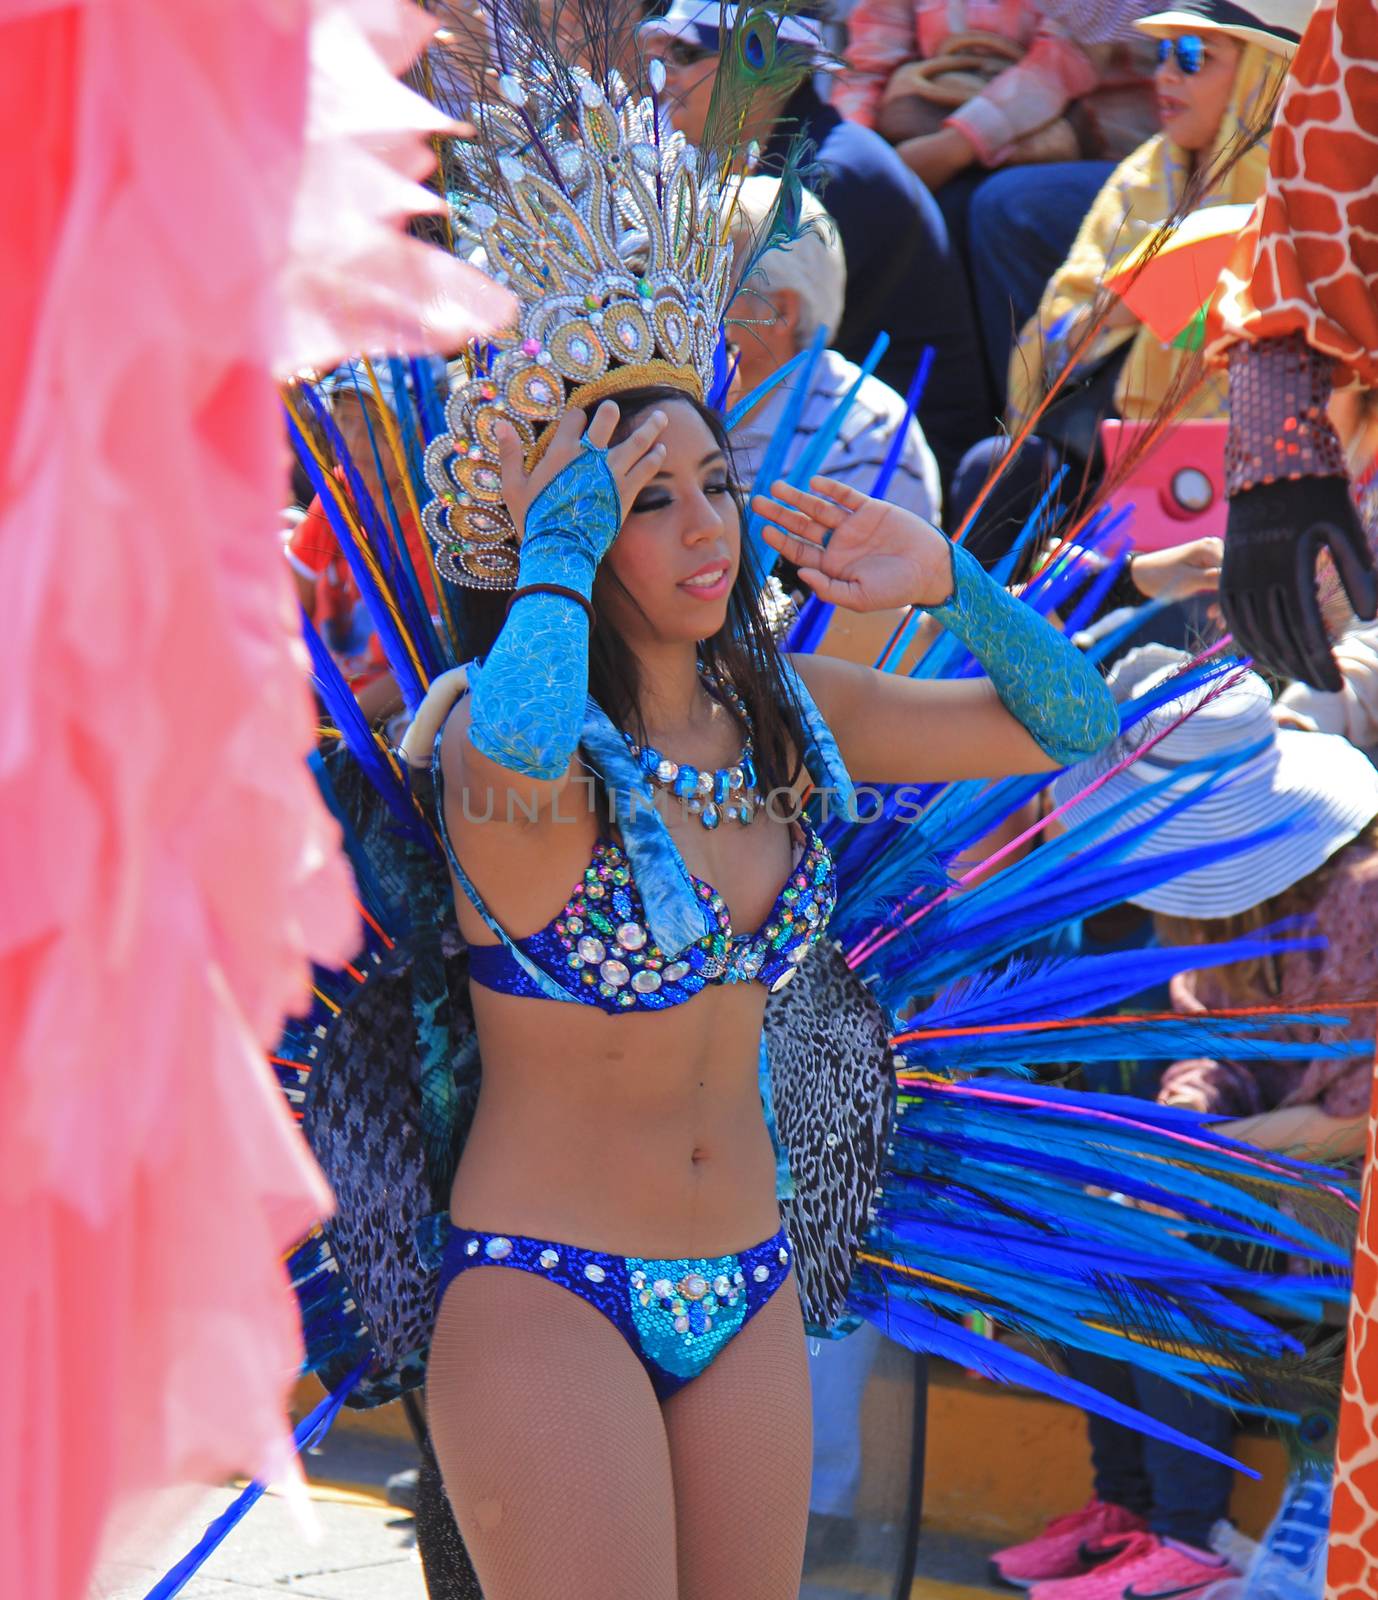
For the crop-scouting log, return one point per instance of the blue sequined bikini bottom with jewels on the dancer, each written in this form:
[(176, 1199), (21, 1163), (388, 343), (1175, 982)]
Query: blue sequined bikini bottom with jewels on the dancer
[(675, 1314)]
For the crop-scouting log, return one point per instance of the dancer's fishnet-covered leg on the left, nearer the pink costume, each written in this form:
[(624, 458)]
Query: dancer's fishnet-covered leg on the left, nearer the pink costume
[(551, 1446)]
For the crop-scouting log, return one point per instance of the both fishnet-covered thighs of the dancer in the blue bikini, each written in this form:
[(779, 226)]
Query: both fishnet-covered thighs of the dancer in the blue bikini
[(571, 1482)]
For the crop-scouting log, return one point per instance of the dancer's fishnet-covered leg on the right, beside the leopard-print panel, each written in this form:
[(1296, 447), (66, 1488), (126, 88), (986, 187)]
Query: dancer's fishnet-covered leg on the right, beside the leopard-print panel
[(742, 1446)]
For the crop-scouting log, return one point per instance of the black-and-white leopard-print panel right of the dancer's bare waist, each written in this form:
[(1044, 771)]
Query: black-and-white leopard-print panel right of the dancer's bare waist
[(833, 1078)]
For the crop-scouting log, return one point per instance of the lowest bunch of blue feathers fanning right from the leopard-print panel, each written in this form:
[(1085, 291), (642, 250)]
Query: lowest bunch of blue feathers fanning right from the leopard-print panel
[(1007, 1198)]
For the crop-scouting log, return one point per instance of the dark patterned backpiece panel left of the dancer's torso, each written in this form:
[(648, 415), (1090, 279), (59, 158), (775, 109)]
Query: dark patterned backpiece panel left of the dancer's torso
[(385, 1134)]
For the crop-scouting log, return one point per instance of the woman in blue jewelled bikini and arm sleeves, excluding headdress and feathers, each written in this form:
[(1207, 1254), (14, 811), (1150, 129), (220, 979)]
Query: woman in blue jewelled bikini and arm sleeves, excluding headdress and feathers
[(628, 1412)]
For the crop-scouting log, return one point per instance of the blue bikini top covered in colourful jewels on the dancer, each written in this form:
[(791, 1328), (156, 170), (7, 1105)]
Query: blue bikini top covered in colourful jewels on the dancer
[(601, 953)]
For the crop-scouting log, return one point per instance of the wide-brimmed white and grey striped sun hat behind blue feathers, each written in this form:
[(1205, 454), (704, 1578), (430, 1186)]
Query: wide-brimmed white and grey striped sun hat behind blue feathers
[(1316, 783)]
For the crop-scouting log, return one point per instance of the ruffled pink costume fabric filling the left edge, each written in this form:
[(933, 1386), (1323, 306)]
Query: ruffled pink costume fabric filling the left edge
[(201, 194)]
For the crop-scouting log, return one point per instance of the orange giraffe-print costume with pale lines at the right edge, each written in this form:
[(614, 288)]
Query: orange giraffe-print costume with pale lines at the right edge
[(1308, 270)]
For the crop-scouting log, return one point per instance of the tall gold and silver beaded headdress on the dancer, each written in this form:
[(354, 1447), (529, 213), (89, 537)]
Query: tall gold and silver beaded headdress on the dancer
[(612, 236)]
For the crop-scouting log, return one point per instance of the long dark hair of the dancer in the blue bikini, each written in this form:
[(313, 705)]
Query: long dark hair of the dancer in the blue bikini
[(742, 654)]
